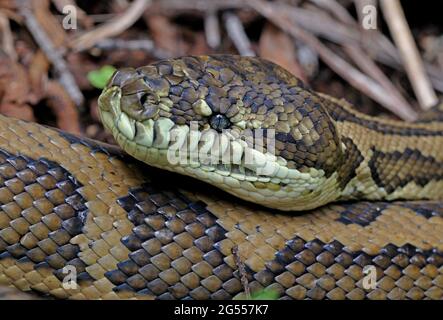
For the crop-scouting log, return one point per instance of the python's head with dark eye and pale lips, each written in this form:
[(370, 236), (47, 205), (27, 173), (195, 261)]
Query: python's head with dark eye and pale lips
[(242, 124)]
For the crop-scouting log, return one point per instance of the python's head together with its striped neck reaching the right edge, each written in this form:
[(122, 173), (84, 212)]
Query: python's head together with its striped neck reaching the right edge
[(323, 150)]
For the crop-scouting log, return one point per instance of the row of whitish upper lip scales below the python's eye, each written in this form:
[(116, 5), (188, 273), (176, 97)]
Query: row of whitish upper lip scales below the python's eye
[(205, 149)]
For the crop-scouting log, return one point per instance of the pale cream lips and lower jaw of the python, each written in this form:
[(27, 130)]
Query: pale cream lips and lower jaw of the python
[(219, 158)]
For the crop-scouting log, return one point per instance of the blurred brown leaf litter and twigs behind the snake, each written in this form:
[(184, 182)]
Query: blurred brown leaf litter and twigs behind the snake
[(385, 56)]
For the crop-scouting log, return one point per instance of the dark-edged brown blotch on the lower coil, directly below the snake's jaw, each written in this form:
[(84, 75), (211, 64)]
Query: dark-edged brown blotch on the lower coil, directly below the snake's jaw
[(173, 242)]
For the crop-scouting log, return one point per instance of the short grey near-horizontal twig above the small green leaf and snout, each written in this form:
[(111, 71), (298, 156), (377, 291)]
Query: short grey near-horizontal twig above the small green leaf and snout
[(144, 45)]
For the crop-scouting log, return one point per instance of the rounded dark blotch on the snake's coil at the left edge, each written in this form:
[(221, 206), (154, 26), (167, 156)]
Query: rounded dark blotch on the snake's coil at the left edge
[(64, 221)]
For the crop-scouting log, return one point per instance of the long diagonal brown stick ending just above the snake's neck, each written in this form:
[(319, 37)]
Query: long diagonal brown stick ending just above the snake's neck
[(336, 63)]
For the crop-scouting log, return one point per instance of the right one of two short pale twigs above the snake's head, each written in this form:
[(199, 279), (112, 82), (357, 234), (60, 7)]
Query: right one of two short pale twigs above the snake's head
[(237, 34)]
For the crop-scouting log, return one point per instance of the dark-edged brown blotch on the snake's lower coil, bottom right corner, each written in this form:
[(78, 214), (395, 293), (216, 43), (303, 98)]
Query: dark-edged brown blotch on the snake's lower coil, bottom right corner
[(316, 270)]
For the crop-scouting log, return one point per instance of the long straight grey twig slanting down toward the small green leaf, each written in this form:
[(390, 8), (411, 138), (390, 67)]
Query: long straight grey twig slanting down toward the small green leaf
[(65, 77)]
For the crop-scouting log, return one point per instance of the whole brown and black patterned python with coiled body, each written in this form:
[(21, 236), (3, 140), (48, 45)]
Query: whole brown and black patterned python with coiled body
[(315, 201)]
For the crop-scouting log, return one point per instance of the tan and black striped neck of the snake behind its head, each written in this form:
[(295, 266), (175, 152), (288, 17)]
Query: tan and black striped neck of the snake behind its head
[(386, 159)]
